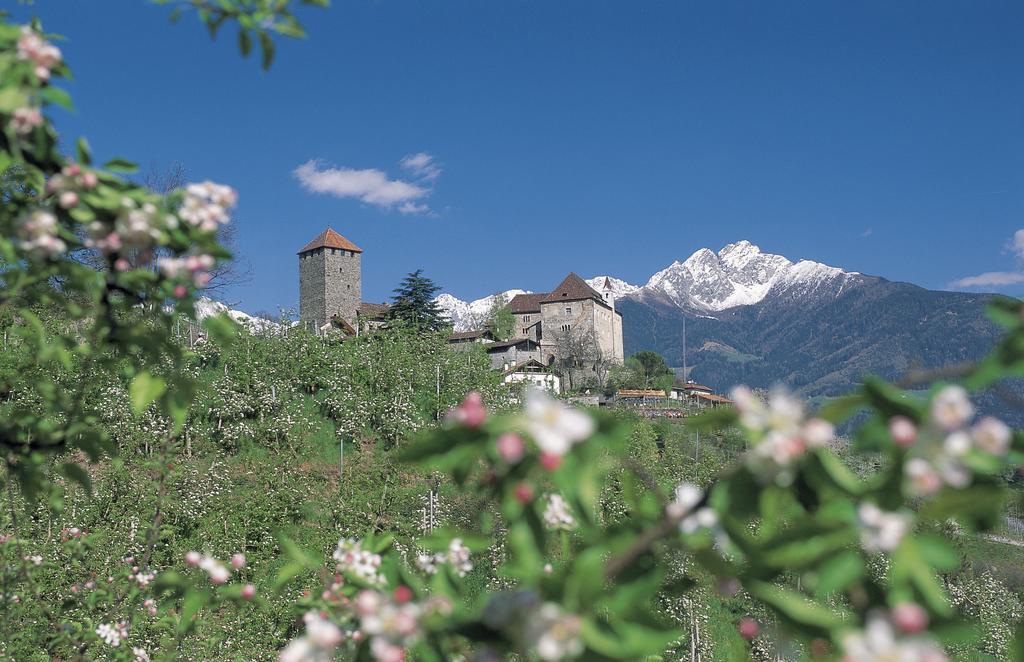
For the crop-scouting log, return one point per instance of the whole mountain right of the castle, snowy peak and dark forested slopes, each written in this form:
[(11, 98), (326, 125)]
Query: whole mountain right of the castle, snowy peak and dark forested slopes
[(761, 319)]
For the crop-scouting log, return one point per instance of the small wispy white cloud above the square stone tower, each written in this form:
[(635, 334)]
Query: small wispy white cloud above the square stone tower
[(373, 187)]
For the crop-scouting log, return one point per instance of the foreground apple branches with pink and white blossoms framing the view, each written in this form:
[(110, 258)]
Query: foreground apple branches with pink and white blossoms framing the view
[(842, 564)]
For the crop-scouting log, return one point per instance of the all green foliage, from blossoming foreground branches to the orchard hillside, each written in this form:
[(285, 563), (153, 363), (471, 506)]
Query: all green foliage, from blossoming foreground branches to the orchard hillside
[(137, 464)]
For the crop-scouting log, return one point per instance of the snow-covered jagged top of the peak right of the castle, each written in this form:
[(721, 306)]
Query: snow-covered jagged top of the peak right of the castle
[(740, 275)]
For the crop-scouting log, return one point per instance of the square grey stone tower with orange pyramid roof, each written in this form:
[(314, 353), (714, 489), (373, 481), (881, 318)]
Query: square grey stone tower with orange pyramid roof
[(330, 280)]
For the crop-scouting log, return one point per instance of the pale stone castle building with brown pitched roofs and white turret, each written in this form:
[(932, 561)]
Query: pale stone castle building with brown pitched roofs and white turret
[(574, 317)]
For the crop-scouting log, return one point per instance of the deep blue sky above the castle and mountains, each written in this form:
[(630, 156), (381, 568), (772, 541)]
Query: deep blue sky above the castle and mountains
[(579, 135)]
